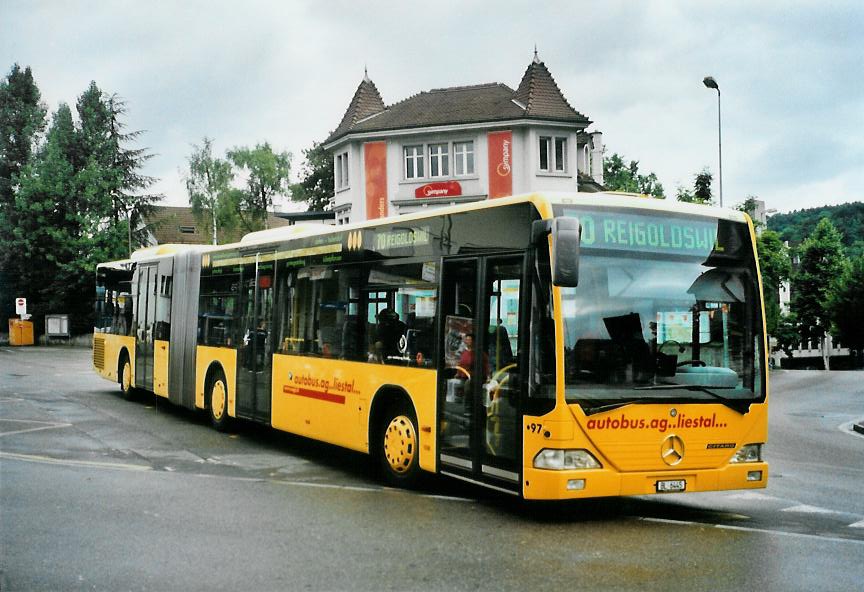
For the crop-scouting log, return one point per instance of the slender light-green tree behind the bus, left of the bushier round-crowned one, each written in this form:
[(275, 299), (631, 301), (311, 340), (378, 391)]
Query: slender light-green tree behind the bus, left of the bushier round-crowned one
[(208, 183)]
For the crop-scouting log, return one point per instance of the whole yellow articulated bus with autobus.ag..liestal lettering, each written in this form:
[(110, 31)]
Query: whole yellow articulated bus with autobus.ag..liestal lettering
[(551, 346)]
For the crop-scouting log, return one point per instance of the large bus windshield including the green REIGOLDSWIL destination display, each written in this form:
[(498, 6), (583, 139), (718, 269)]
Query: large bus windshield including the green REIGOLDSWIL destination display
[(664, 322)]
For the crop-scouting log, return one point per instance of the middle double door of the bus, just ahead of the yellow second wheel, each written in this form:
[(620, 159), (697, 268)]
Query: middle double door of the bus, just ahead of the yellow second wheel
[(255, 351)]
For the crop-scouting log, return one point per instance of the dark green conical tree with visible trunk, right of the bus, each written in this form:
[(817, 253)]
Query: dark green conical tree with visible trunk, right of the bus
[(821, 265)]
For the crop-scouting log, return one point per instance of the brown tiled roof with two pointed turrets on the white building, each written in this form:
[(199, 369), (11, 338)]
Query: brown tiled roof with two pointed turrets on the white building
[(538, 97)]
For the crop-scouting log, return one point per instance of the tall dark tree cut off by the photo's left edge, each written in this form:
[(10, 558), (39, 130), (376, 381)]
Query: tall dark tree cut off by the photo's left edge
[(22, 120)]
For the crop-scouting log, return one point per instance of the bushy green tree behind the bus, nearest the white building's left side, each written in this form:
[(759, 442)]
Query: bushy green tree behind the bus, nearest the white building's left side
[(266, 178)]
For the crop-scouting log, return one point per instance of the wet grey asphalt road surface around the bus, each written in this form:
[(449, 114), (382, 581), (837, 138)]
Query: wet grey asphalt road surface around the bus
[(97, 493)]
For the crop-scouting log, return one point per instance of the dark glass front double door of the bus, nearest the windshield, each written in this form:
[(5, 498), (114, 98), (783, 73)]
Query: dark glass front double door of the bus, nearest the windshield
[(480, 436)]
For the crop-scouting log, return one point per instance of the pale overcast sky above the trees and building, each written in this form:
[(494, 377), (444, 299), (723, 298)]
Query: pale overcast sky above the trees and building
[(790, 74)]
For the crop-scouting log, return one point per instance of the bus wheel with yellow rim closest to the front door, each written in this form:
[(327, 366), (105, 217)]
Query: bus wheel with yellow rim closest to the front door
[(398, 446)]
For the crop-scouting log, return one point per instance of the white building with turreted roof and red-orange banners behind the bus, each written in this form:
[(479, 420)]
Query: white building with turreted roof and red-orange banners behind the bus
[(461, 144)]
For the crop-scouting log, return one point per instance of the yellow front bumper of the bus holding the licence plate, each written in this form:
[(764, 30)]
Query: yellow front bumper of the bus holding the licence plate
[(544, 484)]
